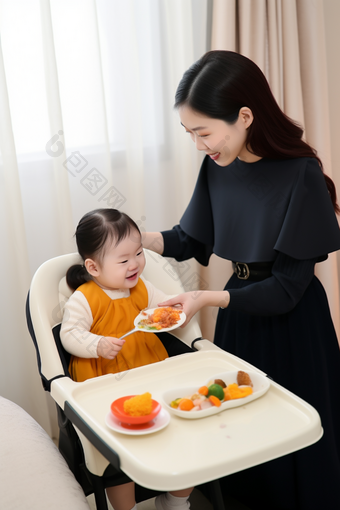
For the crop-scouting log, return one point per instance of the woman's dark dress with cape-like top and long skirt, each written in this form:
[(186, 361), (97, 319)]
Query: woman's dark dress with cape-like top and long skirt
[(280, 212)]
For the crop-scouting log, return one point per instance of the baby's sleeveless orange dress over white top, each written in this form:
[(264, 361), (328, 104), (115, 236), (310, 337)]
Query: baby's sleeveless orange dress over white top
[(114, 317)]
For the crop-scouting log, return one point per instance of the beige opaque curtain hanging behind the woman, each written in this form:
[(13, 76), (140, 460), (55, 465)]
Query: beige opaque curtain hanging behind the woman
[(286, 39)]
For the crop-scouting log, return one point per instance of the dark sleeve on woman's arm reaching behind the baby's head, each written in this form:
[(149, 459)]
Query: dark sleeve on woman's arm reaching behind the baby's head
[(181, 246)]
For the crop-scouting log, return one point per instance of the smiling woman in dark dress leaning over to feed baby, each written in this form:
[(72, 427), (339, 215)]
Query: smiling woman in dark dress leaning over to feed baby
[(262, 201)]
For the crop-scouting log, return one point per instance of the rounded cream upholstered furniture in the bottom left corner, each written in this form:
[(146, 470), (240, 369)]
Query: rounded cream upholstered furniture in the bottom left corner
[(33, 474)]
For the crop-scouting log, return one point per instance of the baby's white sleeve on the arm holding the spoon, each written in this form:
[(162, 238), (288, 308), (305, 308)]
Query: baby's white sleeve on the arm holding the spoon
[(75, 329)]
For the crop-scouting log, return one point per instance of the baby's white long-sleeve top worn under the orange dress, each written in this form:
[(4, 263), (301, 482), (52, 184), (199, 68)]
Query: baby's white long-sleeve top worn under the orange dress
[(77, 319)]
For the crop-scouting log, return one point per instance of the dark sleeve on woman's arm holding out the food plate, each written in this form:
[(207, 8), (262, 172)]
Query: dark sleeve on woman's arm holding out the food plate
[(278, 294)]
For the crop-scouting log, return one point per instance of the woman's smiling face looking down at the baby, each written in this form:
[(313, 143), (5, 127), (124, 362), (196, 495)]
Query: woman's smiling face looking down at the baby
[(222, 142)]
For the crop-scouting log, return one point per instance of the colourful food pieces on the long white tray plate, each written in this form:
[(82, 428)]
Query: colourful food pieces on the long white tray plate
[(214, 394)]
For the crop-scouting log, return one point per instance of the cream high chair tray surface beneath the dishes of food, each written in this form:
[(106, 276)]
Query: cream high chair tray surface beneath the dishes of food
[(189, 452)]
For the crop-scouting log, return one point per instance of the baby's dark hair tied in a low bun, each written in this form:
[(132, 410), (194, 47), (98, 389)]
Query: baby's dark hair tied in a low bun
[(92, 233)]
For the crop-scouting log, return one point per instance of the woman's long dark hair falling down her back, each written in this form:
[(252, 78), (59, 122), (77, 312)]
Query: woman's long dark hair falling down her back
[(221, 82)]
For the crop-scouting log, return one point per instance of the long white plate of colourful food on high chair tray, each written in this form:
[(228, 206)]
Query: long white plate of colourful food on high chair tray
[(240, 389)]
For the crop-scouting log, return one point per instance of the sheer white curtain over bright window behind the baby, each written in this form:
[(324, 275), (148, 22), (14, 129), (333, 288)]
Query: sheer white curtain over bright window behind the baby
[(87, 121)]
